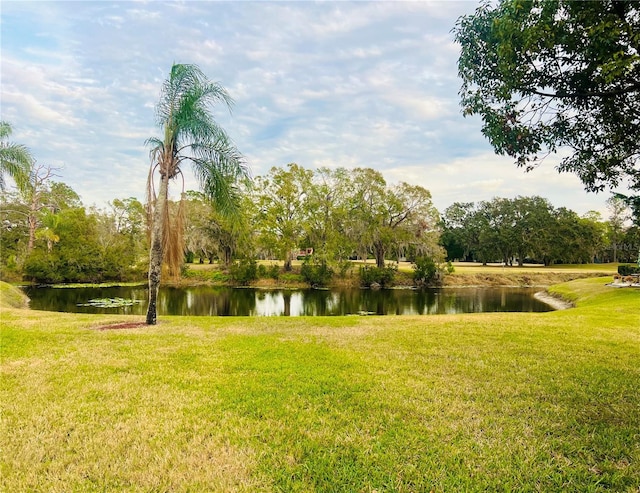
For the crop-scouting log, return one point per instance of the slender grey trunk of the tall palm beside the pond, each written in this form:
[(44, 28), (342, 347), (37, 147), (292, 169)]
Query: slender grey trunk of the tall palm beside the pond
[(156, 252)]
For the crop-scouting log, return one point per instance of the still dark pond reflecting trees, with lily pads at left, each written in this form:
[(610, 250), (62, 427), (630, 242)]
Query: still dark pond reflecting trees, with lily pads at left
[(216, 301)]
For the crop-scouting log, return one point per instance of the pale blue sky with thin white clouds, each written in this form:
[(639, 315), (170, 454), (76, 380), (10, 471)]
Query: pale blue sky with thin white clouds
[(335, 84)]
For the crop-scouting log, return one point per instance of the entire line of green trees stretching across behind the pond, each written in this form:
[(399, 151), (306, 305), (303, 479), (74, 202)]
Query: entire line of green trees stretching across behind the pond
[(333, 215)]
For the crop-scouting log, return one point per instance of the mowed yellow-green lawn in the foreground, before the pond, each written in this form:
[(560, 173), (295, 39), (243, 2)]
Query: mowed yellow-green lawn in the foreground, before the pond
[(478, 402)]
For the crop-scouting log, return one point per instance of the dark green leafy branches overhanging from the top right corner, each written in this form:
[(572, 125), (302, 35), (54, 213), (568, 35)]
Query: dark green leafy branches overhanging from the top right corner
[(546, 75)]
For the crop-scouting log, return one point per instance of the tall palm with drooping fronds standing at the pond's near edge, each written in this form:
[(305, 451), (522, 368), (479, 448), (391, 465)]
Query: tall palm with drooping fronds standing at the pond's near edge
[(190, 135)]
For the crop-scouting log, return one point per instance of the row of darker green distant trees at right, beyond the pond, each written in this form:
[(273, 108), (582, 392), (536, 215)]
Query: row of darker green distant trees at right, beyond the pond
[(530, 229)]
